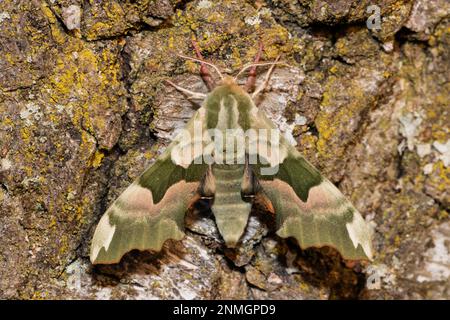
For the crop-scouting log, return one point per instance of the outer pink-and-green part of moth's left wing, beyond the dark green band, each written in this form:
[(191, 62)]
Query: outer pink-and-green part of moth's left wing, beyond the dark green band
[(135, 222)]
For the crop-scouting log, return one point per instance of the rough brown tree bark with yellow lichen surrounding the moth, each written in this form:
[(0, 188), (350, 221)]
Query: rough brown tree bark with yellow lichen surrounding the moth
[(84, 110)]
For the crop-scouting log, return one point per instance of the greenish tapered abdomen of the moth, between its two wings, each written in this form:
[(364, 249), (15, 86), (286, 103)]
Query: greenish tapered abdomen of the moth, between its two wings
[(230, 211)]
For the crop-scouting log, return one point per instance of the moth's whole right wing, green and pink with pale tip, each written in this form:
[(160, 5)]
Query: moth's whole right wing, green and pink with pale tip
[(310, 208)]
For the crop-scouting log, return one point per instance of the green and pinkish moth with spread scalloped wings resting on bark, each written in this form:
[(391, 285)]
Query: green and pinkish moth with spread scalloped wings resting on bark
[(305, 205)]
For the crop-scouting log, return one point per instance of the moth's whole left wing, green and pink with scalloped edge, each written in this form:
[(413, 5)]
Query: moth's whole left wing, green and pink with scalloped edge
[(152, 209)]
